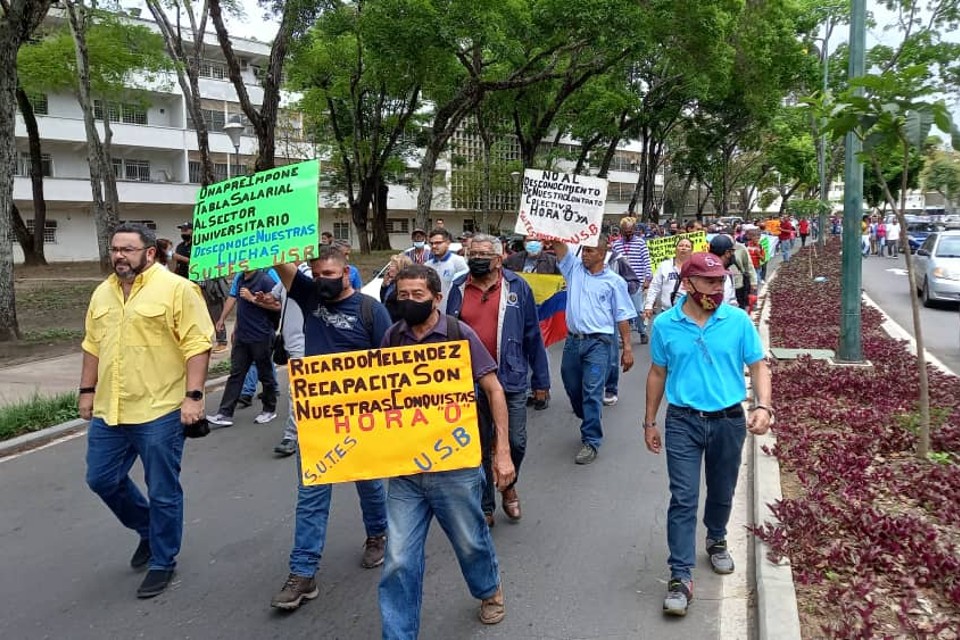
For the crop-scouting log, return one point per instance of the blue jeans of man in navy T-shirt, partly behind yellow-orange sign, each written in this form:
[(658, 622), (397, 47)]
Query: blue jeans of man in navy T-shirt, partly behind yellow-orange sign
[(313, 510)]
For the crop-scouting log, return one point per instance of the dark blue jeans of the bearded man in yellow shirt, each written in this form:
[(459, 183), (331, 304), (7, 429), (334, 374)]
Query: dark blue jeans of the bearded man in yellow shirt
[(111, 452)]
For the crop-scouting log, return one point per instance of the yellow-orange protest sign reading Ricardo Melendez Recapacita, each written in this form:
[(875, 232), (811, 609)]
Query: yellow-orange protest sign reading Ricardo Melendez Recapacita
[(379, 413)]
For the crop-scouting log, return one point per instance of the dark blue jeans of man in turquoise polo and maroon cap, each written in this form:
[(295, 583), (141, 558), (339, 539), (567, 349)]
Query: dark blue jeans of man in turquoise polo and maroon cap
[(688, 439)]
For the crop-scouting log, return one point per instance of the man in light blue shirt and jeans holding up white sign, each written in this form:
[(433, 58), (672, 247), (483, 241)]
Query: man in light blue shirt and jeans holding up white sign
[(598, 307)]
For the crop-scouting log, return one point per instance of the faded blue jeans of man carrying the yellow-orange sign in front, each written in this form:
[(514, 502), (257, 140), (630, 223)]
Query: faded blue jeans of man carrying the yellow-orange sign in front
[(412, 502)]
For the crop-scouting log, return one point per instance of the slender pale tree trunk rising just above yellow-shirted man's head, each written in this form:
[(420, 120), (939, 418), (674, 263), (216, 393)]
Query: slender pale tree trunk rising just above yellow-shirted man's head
[(104, 217)]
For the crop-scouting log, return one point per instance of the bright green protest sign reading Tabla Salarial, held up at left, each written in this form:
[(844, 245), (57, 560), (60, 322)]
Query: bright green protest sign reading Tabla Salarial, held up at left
[(256, 221)]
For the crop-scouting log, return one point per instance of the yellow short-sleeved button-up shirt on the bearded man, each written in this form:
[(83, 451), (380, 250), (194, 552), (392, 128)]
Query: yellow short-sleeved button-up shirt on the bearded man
[(142, 344)]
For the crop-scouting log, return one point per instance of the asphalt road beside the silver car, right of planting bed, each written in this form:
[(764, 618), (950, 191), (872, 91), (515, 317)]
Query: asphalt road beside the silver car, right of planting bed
[(885, 280)]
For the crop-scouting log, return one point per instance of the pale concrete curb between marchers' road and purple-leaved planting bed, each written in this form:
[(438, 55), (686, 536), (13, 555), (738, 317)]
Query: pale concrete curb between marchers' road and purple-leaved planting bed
[(777, 613)]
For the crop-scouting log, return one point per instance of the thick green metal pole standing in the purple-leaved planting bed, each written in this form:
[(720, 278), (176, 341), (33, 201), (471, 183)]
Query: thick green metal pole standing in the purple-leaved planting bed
[(851, 335)]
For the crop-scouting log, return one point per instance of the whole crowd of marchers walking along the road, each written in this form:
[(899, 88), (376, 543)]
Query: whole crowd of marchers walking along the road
[(149, 335)]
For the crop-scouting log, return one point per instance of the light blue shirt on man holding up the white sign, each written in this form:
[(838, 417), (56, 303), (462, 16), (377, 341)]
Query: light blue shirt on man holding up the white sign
[(596, 302)]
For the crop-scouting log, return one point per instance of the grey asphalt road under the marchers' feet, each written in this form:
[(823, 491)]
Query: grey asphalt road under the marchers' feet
[(588, 560)]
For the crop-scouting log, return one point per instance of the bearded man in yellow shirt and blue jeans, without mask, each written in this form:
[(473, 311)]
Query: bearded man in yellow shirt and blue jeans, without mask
[(145, 354)]
